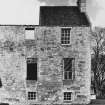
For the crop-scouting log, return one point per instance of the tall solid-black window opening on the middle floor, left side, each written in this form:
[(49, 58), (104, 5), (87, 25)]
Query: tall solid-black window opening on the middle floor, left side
[(31, 68)]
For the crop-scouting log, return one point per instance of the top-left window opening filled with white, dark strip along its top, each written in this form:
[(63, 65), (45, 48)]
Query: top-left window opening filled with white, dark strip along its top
[(29, 33)]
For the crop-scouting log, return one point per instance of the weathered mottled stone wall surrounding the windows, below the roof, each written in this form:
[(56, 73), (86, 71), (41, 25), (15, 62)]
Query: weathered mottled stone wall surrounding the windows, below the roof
[(47, 48)]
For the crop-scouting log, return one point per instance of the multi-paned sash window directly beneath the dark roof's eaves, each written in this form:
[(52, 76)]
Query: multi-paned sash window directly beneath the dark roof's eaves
[(65, 35)]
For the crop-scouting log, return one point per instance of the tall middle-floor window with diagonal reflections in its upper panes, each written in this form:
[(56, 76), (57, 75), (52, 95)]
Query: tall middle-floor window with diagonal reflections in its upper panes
[(68, 68)]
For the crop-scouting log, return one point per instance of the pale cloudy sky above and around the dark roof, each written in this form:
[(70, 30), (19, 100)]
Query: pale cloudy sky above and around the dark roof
[(27, 11)]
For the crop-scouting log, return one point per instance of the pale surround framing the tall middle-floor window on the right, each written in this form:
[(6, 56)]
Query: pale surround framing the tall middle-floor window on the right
[(73, 66)]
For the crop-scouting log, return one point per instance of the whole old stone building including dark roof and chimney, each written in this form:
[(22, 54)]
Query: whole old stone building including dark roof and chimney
[(49, 63)]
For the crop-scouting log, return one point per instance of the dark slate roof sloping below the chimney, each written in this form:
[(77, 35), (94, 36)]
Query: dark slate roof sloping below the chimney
[(62, 16)]
